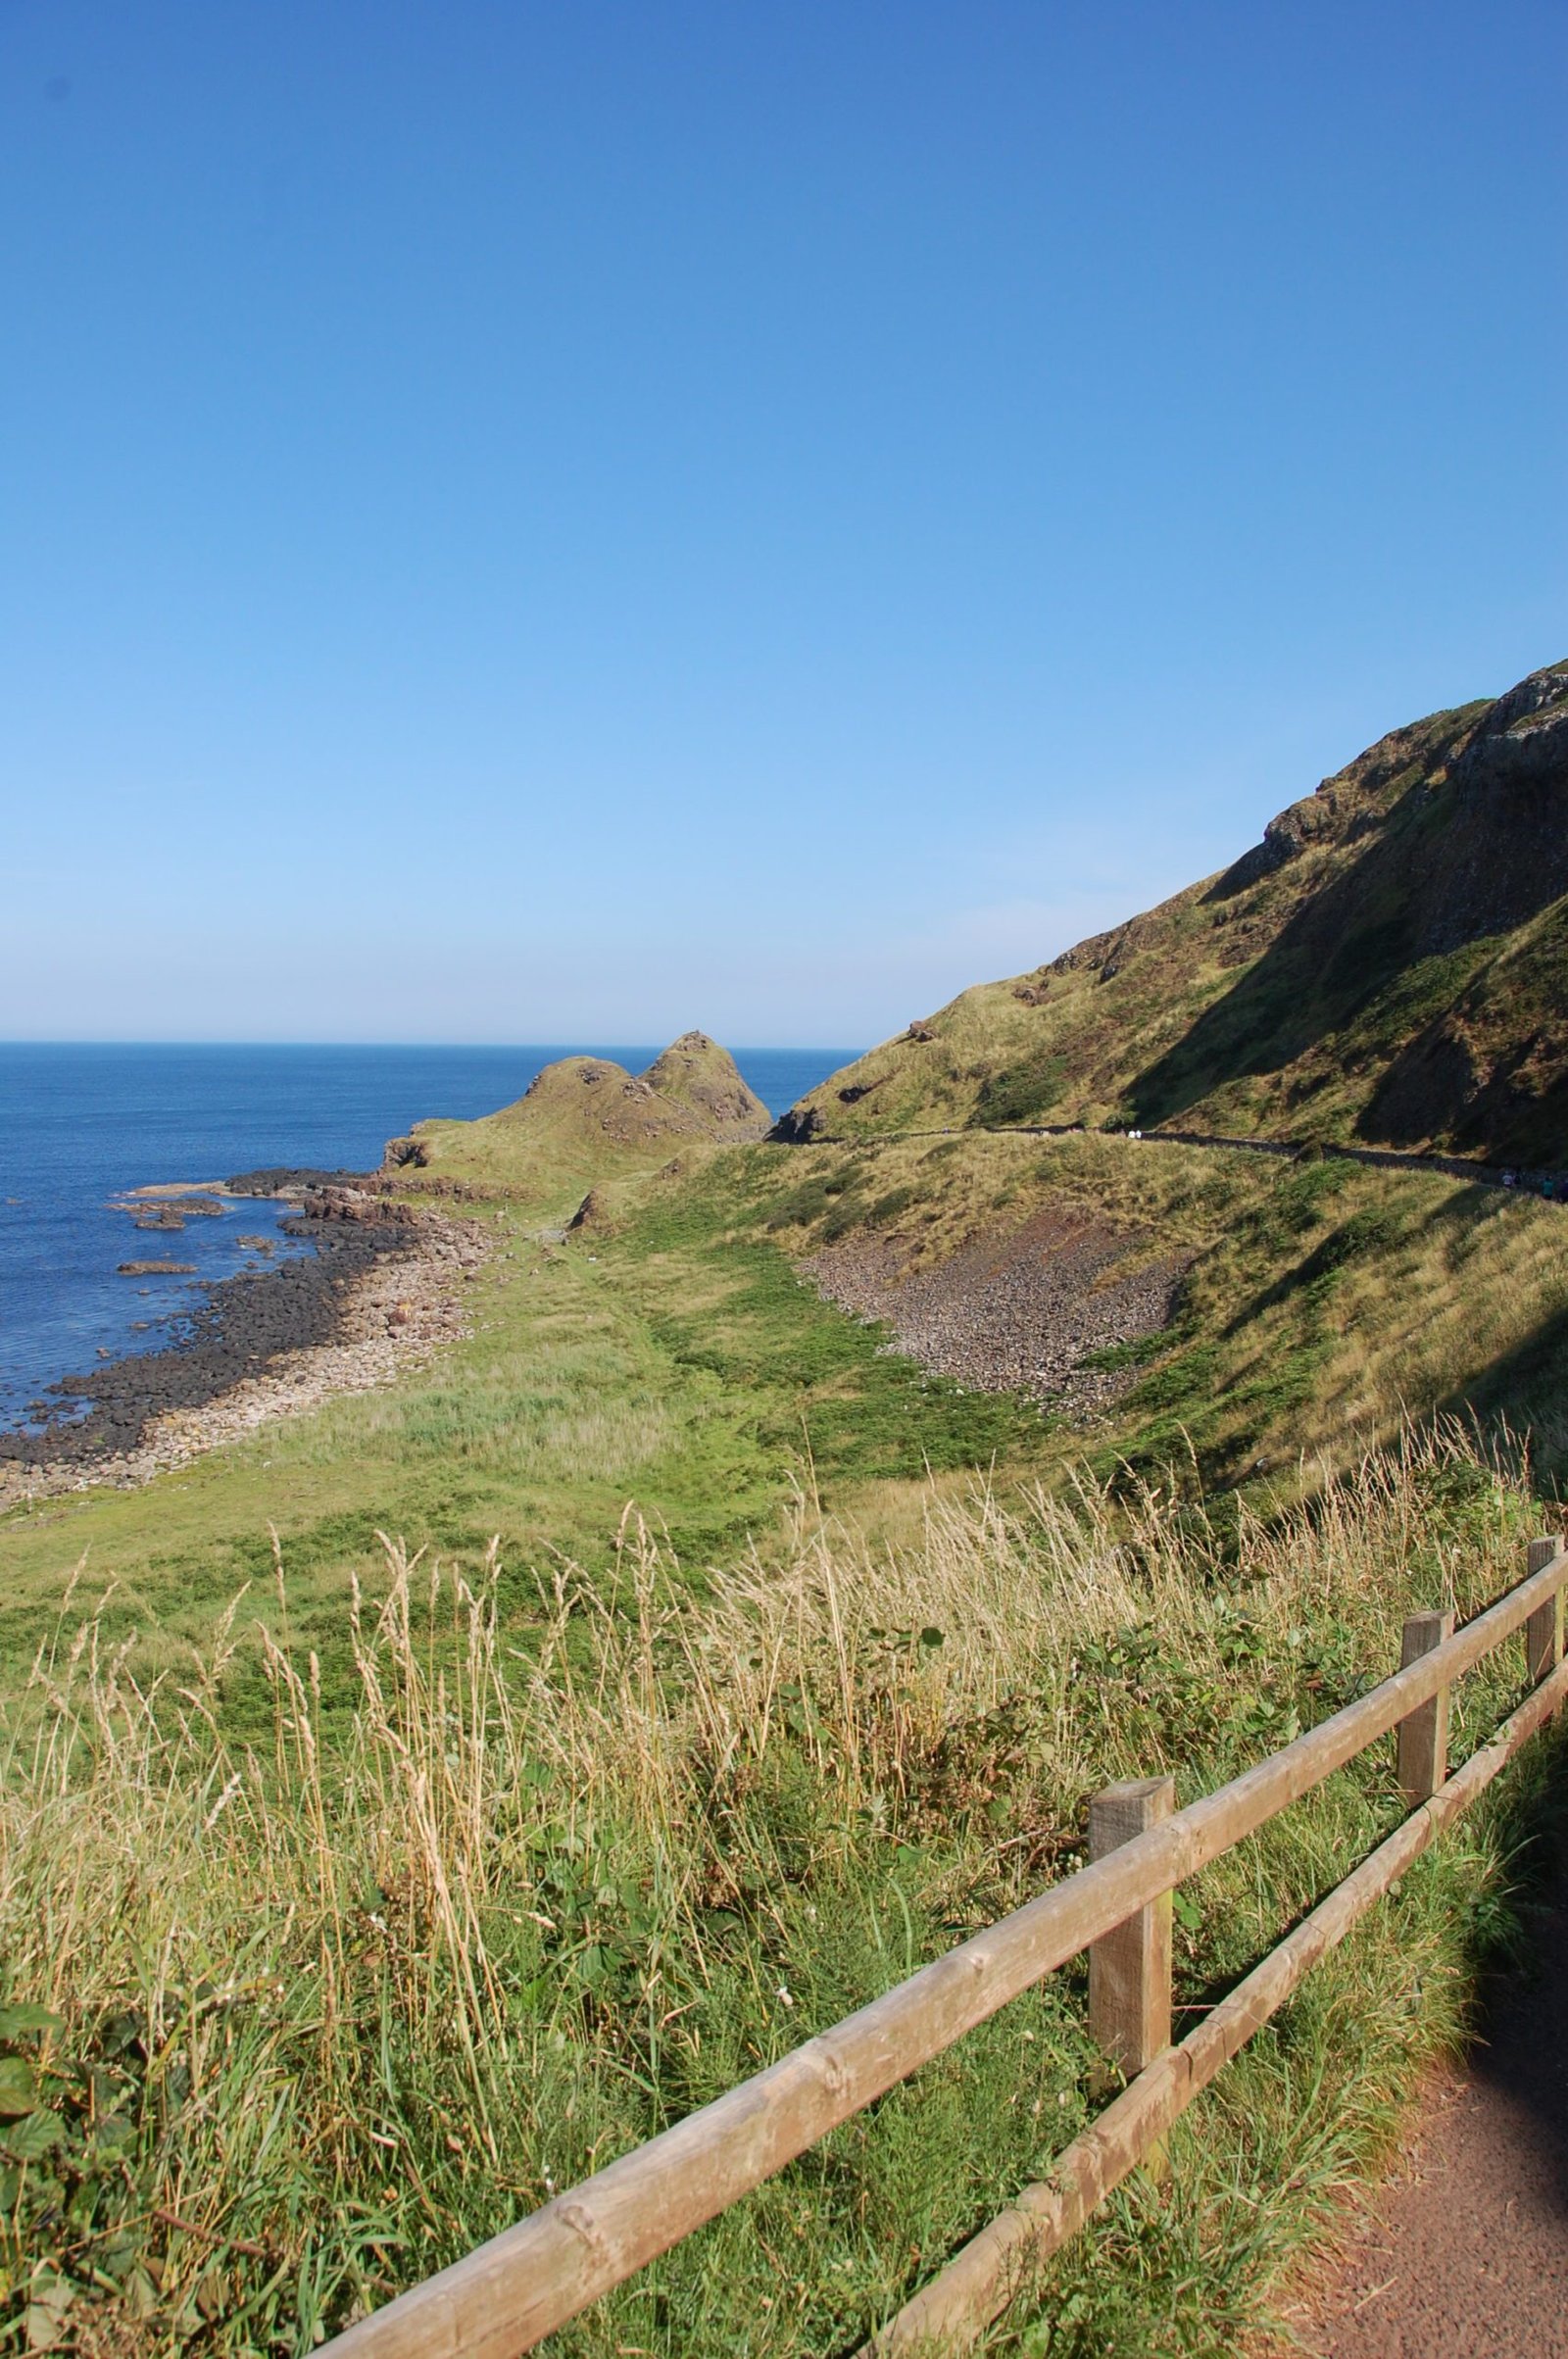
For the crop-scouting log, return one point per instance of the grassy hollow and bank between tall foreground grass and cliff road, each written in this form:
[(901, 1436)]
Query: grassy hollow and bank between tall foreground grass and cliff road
[(671, 1355)]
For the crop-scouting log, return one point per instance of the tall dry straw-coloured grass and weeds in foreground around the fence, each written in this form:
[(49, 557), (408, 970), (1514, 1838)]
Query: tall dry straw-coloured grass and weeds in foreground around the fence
[(334, 2004)]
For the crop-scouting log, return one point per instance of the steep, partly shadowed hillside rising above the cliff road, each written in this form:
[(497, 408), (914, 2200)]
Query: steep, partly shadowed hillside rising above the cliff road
[(1385, 966)]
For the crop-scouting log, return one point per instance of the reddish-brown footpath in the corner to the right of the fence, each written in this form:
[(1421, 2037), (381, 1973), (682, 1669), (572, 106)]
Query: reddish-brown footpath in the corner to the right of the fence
[(1465, 2254)]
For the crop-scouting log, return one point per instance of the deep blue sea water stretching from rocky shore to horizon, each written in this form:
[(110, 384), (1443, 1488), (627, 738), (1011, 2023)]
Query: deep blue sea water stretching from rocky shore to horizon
[(84, 1124)]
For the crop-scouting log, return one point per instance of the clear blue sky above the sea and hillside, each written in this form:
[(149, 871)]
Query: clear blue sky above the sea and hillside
[(539, 523)]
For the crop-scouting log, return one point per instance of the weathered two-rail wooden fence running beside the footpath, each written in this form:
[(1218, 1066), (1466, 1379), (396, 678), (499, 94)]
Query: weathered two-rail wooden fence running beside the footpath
[(529, 2280)]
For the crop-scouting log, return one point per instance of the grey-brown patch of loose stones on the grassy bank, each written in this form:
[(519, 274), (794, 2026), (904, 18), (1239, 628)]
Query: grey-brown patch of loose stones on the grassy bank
[(1013, 1313)]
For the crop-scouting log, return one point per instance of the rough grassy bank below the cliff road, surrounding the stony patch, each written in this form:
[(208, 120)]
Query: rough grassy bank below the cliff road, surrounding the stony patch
[(1324, 1299)]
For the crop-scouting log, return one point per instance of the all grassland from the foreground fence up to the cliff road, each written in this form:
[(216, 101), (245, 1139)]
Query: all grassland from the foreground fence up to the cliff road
[(723, 1669)]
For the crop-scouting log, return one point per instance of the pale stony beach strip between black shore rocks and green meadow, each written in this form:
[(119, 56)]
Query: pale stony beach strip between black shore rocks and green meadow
[(381, 1294)]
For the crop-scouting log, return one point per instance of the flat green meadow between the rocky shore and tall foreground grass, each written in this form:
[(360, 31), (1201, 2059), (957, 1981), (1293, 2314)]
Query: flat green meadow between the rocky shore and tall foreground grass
[(678, 1367)]
